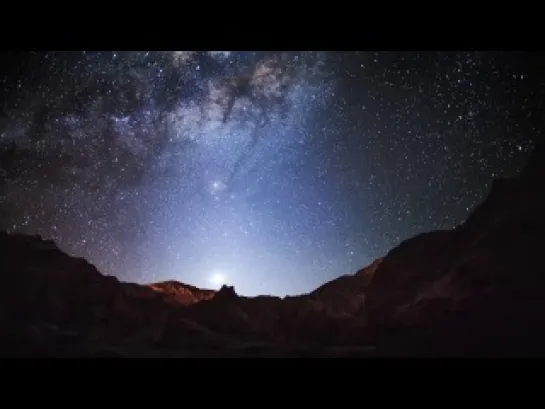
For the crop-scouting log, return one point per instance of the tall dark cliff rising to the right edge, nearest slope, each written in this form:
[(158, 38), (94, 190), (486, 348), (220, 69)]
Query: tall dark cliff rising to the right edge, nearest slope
[(477, 289)]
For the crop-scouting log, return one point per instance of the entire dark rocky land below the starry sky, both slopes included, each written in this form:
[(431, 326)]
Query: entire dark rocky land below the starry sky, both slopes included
[(474, 290)]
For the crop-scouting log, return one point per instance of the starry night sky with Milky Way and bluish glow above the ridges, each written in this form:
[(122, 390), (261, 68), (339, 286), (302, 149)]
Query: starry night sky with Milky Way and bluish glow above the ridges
[(274, 171)]
